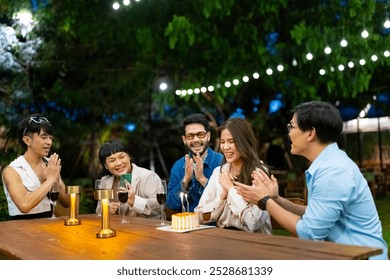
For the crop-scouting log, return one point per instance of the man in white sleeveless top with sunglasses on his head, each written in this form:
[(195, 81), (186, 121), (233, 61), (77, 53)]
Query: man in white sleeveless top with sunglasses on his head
[(29, 178)]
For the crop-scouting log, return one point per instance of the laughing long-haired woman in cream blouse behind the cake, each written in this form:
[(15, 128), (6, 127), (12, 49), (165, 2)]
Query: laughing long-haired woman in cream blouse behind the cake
[(220, 202)]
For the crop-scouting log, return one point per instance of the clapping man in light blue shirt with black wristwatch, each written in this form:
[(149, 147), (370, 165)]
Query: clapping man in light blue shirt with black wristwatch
[(340, 205)]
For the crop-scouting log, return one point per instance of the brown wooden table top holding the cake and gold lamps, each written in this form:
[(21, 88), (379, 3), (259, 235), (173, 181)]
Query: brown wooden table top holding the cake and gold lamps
[(44, 239)]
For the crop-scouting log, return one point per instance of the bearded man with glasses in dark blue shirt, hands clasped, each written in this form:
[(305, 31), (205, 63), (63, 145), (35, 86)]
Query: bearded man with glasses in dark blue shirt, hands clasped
[(190, 174)]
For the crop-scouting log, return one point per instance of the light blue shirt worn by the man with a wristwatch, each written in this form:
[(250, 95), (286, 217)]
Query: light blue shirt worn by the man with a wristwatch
[(340, 205)]
